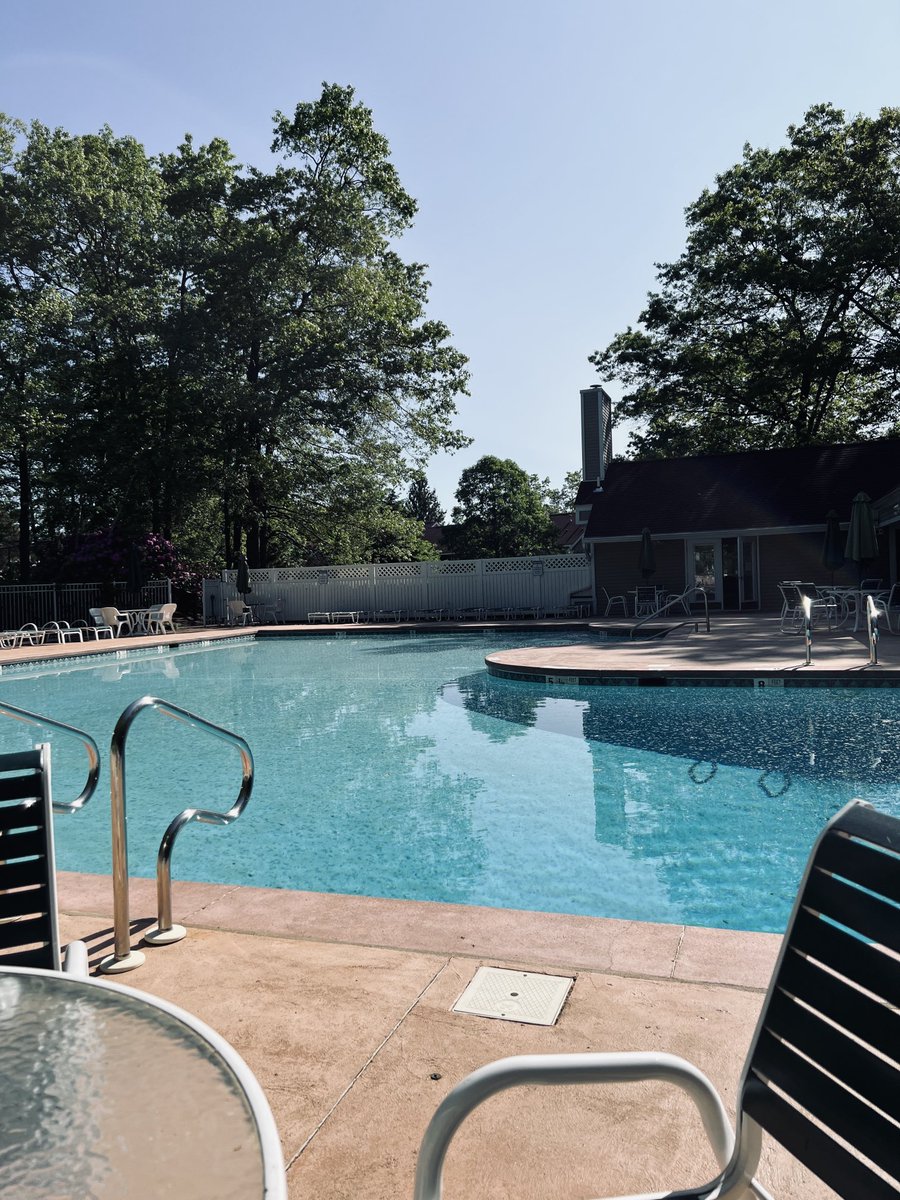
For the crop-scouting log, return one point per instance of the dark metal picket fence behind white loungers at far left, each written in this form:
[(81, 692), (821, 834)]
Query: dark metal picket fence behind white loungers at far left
[(40, 603)]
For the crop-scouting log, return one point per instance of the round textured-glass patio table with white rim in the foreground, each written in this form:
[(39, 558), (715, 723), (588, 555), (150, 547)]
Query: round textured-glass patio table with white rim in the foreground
[(111, 1093)]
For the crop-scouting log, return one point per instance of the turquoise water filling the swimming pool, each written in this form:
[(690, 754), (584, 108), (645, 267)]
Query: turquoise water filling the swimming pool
[(395, 766)]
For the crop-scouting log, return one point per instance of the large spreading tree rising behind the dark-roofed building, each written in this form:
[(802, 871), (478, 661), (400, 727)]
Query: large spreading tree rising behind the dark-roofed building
[(781, 323)]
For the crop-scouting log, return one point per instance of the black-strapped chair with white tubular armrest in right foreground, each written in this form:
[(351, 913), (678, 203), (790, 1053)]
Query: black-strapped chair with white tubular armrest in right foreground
[(821, 1077)]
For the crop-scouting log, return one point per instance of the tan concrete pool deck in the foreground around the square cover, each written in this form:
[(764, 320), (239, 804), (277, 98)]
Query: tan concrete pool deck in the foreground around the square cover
[(343, 1009)]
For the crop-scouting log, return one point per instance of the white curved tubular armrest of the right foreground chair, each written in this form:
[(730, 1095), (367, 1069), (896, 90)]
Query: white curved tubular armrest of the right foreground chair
[(563, 1069)]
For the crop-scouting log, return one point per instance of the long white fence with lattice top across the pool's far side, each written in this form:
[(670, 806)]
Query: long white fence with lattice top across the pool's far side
[(544, 584)]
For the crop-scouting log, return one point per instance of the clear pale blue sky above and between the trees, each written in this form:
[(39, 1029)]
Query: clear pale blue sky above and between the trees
[(553, 148)]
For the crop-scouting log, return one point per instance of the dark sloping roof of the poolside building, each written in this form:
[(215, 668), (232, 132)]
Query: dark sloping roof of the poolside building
[(753, 490)]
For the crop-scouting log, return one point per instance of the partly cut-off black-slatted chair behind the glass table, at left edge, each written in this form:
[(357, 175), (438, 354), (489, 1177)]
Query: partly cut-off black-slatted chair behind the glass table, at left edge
[(29, 931)]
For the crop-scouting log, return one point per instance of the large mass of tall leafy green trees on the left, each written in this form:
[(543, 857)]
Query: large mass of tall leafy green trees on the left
[(229, 357)]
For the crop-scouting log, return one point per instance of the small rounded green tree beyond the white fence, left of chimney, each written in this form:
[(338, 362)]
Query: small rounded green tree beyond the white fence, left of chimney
[(500, 513)]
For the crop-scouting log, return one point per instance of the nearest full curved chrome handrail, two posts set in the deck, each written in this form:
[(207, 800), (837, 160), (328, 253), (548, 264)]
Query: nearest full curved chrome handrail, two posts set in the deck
[(124, 958)]
